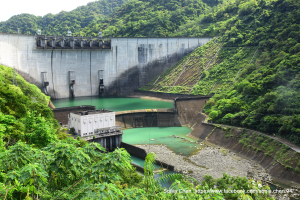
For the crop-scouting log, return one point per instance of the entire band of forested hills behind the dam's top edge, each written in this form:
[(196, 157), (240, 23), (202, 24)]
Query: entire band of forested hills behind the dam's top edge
[(115, 18)]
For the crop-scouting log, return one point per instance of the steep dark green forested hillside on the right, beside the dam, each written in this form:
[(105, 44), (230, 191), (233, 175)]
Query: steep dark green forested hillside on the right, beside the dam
[(255, 75)]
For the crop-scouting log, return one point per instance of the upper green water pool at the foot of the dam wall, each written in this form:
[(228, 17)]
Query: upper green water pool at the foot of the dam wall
[(114, 104)]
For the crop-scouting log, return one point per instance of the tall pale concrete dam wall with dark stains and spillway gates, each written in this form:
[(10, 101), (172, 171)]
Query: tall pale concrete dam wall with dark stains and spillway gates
[(84, 66)]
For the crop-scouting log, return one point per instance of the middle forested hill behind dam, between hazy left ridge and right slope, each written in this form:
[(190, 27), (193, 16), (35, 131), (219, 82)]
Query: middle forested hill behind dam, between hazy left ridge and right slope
[(146, 18)]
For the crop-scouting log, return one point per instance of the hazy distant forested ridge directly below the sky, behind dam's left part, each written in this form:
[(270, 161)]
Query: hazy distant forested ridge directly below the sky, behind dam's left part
[(60, 23)]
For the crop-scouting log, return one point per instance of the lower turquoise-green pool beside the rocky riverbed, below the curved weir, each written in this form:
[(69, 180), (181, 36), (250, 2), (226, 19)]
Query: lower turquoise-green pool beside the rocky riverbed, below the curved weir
[(163, 135)]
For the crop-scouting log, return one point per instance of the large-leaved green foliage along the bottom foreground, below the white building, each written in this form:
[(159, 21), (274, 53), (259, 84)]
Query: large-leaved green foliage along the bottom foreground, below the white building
[(67, 171)]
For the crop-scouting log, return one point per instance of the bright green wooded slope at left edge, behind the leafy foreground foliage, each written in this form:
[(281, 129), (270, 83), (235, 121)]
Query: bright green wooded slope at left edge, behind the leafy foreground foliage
[(20, 117)]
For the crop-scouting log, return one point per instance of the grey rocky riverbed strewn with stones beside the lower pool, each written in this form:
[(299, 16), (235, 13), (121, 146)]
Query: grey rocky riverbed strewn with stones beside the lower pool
[(211, 161)]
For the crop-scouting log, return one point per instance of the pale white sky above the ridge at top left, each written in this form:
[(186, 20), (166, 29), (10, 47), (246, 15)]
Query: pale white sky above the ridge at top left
[(10, 8)]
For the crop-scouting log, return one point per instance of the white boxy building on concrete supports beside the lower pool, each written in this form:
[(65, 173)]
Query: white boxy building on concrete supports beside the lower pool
[(97, 126)]
